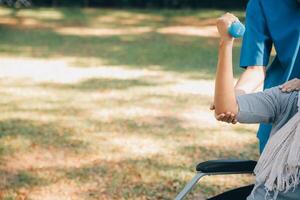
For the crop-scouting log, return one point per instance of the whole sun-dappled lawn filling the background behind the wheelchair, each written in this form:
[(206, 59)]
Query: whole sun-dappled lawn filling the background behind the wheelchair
[(112, 104)]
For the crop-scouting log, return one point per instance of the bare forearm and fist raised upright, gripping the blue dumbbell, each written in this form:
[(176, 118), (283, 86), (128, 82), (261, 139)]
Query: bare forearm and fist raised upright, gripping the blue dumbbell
[(225, 100)]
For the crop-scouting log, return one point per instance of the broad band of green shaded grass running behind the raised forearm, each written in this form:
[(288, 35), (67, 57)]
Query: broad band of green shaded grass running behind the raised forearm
[(195, 56)]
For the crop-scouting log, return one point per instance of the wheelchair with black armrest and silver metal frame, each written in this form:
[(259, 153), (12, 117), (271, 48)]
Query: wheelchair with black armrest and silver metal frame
[(222, 167)]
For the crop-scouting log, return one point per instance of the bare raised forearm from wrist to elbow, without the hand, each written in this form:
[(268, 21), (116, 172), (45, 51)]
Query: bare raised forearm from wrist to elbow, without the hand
[(225, 100)]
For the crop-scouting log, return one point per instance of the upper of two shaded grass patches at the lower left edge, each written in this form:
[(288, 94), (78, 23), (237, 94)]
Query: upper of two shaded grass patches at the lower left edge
[(45, 135)]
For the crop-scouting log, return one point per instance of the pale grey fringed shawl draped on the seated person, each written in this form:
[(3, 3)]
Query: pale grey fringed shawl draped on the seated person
[(279, 165)]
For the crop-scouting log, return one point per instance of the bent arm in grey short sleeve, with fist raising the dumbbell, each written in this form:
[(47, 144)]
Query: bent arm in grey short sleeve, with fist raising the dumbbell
[(250, 108)]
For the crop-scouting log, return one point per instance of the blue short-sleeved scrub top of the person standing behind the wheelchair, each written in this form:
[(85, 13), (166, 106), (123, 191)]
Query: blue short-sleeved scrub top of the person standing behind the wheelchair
[(272, 22)]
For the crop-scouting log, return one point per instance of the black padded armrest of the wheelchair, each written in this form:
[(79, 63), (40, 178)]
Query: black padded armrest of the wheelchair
[(227, 166)]
